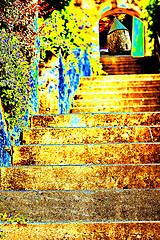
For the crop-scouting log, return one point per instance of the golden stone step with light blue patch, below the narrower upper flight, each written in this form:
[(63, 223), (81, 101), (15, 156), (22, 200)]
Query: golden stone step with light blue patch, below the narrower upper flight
[(93, 120)]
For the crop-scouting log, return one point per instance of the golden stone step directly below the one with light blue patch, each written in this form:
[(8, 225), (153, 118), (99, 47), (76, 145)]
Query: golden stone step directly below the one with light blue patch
[(78, 135)]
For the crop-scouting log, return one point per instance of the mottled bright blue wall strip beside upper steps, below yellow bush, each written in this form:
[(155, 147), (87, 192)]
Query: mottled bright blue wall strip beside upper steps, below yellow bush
[(82, 68)]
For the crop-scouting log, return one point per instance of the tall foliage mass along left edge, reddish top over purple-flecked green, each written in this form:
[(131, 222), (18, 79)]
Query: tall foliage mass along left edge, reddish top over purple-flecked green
[(17, 47)]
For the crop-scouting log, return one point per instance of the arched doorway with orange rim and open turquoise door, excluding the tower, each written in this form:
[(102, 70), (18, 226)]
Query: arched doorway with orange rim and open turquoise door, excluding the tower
[(132, 23)]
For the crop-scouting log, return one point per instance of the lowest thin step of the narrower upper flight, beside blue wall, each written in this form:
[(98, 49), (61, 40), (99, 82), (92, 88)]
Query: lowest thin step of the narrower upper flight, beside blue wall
[(115, 109)]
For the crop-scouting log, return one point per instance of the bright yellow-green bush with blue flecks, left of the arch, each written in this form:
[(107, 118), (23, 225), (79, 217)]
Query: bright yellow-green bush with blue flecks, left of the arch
[(67, 30)]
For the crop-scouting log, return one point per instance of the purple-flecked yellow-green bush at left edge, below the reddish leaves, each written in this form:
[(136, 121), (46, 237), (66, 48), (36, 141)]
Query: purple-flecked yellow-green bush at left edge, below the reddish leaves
[(14, 85)]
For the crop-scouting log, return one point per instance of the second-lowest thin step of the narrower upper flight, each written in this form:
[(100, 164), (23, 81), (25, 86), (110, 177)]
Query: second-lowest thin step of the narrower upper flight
[(116, 102)]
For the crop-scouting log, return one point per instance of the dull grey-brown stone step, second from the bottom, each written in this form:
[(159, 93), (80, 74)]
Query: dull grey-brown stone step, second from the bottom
[(94, 205)]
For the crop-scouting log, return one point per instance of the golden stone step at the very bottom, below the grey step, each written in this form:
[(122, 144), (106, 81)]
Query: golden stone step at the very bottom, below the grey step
[(83, 230)]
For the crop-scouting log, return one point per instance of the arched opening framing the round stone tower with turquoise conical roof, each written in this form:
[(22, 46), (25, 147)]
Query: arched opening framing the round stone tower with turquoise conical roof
[(115, 35)]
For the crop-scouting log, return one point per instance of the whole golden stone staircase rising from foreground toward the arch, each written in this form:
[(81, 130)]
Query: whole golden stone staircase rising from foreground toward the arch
[(92, 173)]
